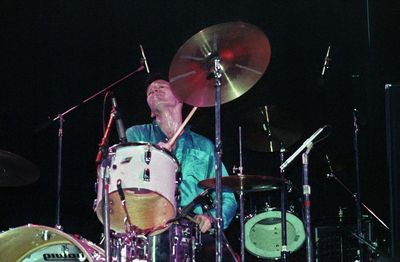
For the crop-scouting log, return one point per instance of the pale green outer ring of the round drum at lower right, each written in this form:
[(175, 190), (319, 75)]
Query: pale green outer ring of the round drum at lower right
[(294, 220)]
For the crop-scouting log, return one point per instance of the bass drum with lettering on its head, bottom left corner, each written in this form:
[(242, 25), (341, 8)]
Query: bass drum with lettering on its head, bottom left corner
[(34, 243)]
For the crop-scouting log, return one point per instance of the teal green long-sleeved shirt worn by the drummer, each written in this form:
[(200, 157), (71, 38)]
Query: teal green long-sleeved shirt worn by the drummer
[(196, 155)]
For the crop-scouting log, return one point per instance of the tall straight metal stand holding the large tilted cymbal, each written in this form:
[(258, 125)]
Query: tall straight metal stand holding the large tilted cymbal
[(218, 163)]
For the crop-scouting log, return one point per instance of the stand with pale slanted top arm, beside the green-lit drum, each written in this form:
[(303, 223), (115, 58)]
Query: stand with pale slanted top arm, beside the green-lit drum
[(306, 147)]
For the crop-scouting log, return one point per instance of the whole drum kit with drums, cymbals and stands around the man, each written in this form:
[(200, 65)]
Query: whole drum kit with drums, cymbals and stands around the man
[(215, 66)]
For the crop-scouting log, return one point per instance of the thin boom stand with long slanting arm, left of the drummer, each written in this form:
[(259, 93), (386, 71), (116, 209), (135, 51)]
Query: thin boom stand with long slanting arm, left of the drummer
[(60, 118)]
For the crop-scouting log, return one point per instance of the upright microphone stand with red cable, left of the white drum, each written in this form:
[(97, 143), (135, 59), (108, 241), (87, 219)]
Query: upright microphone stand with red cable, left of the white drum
[(103, 159)]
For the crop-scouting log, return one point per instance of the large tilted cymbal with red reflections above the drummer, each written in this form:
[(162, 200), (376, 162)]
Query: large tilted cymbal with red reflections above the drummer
[(244, 51)]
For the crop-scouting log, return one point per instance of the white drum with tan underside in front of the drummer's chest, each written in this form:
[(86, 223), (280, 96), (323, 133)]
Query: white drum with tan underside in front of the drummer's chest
[(149, 177)]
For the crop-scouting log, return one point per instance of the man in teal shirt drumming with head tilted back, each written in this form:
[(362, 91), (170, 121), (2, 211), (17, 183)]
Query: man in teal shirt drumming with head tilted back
[(194, 152)]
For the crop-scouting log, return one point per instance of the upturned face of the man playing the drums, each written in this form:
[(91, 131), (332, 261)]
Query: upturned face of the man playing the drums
[(159, 96)]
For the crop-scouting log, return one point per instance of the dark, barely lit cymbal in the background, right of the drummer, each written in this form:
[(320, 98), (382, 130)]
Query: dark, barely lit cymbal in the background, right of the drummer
[(266, 127)]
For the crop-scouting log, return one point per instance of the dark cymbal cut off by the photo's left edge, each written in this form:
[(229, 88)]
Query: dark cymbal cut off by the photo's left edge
[(16, 171)]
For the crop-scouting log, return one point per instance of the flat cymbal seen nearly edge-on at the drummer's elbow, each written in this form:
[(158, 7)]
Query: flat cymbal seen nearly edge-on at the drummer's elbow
[(245, 183)]
